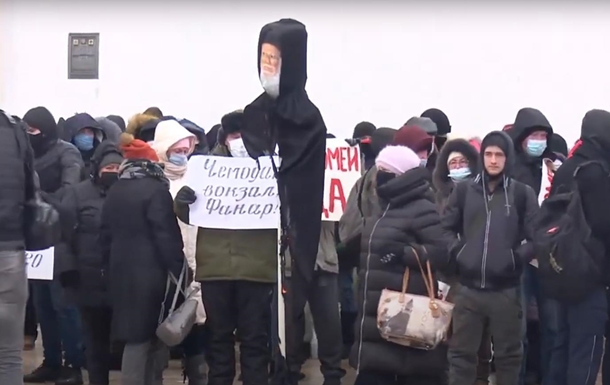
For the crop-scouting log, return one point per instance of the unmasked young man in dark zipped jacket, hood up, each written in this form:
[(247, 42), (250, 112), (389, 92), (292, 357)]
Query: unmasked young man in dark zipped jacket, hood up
[(489, 218)]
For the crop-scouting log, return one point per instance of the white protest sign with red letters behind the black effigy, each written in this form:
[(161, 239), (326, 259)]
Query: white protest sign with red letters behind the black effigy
[(343, 169)]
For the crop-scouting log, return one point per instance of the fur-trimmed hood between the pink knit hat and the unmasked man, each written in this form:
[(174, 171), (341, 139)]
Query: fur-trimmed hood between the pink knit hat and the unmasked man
[(440, 177)]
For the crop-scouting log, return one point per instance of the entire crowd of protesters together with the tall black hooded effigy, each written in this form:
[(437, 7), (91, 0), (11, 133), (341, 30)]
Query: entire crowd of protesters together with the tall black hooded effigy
[(513, 225)]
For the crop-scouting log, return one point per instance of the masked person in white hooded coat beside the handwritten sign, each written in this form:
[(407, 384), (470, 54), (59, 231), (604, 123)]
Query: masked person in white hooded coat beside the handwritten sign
[(174, 144)]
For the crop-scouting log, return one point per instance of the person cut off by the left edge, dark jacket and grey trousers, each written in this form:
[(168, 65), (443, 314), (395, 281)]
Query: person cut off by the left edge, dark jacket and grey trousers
[(16, 189)]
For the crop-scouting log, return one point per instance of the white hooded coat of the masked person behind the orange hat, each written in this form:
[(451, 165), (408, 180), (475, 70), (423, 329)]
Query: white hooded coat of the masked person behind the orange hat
[(168, 133)]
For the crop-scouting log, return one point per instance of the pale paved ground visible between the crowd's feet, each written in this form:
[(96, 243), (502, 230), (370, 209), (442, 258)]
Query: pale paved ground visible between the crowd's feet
[(173, 375)]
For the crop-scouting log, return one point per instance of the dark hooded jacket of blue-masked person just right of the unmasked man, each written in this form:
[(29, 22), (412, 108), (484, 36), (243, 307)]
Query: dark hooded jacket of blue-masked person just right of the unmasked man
[(527, 169)]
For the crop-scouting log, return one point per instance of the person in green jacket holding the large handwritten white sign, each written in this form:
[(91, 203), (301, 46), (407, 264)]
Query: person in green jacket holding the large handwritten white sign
[(237, 270)]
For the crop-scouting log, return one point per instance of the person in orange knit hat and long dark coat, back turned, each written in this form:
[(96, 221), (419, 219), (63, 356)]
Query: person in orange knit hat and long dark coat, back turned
[(141, 241)]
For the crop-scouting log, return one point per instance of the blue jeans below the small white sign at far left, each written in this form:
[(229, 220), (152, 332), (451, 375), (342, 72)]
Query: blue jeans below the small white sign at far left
[(60, 325)]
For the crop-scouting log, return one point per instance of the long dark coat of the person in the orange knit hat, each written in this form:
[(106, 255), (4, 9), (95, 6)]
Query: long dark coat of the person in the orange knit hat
[(141, 241)]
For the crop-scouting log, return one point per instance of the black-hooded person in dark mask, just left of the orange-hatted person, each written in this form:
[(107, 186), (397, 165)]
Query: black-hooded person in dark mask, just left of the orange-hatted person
[(85, 280)]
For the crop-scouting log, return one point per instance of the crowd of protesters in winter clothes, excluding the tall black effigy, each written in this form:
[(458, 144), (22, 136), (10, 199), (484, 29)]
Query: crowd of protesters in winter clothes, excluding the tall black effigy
[(468, 206)]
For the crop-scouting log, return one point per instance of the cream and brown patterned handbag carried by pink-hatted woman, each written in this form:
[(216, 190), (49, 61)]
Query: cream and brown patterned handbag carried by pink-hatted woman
[(417, 321)]
